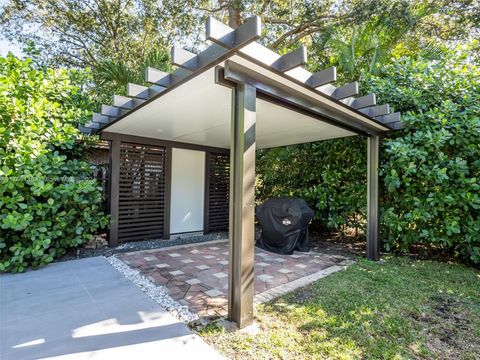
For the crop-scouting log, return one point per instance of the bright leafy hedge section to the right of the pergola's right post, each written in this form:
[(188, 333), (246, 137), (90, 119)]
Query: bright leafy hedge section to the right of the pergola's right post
[(432, 170)]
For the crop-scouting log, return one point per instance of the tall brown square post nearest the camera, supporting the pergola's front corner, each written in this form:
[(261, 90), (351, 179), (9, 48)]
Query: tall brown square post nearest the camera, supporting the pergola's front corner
[(242, 205)]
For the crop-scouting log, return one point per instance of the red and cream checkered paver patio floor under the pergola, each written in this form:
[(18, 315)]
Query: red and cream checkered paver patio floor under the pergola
[(197, 275)]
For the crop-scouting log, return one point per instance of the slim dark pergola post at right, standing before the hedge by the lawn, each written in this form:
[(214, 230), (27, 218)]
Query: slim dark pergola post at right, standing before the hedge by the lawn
[(373, 218)]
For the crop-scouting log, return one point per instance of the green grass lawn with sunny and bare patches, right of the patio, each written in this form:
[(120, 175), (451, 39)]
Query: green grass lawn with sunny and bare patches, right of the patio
[(396, 309)]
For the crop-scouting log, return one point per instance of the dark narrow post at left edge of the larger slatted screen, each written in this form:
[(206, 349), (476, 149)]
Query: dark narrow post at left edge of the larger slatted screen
[(114, 191)]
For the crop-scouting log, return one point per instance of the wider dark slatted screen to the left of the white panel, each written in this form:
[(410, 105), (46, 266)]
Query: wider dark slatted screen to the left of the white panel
[(142, 192)]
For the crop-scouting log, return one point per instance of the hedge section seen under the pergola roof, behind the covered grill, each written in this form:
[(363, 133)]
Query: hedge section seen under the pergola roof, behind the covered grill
[(330, 175)]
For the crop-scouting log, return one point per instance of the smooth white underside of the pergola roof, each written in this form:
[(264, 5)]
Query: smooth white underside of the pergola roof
[(199, 112)]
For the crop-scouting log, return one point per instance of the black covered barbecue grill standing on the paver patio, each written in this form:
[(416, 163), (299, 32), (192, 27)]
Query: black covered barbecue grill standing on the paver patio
[(284, 224)]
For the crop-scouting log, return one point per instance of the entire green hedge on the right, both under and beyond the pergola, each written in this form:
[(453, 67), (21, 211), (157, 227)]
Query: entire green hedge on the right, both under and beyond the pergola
[(430, 171)]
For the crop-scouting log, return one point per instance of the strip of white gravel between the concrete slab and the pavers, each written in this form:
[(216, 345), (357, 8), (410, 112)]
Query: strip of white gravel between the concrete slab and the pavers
[(159, 294)]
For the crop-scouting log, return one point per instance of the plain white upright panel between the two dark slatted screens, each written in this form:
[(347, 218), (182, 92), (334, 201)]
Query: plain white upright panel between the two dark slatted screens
[(187, 197)]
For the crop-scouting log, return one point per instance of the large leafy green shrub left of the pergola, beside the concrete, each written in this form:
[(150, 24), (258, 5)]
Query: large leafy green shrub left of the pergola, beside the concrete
[(48, 202)]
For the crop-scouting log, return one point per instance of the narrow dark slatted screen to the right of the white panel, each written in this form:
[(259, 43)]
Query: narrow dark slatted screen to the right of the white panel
[(219, 183)]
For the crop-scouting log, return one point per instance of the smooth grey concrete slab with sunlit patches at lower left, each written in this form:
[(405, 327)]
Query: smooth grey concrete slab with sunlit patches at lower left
[(86, 309)]
